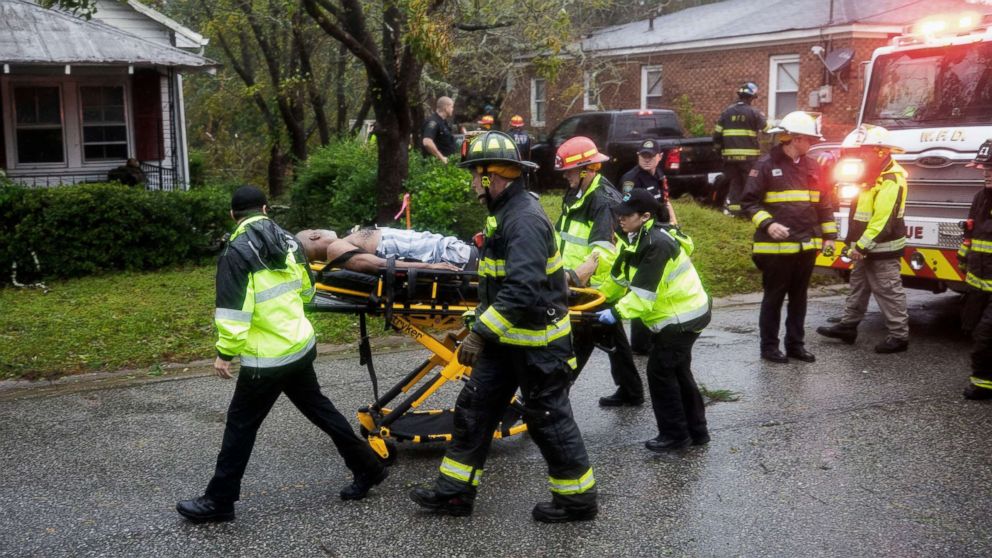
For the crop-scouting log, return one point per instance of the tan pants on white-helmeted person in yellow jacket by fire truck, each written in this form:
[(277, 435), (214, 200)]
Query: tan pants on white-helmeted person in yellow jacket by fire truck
[(880, 278)]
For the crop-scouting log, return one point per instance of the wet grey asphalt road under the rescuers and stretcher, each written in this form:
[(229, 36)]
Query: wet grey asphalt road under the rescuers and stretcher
[(855, 455)]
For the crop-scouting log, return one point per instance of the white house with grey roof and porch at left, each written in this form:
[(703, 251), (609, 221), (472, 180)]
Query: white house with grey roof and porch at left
[(79, 97)]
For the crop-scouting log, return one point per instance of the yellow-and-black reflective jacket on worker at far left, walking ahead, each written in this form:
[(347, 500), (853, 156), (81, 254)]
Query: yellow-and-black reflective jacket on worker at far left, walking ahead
[(262, 282)]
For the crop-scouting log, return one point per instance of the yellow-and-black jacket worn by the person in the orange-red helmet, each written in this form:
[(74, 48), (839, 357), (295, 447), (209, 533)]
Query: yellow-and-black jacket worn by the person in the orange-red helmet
[(587, 224)]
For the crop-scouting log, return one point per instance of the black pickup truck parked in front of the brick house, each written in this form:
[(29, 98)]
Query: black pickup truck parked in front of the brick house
[(692, 165)]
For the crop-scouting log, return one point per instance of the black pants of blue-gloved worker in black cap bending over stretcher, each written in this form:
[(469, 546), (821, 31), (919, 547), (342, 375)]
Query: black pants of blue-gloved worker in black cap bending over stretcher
[(678, 405)]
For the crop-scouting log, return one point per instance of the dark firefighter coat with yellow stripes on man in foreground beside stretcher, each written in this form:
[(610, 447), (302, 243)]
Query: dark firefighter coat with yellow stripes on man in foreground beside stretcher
[(523, 296)]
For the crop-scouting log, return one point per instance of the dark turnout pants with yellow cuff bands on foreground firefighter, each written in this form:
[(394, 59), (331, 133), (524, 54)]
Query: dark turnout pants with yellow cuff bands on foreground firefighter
[(543, 379)]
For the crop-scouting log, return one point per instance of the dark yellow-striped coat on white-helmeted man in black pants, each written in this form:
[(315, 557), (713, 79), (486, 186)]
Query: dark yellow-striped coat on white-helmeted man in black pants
[(780, 190)]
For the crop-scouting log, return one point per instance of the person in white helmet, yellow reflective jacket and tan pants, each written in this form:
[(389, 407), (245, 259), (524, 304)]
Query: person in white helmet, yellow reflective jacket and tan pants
[(876, 237)]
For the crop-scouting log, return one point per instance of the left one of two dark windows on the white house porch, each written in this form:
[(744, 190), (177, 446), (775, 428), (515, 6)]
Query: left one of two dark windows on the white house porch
[(38, 124)]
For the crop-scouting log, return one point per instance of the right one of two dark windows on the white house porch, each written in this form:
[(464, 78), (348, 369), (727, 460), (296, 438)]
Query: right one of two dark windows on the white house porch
[(104, 125)]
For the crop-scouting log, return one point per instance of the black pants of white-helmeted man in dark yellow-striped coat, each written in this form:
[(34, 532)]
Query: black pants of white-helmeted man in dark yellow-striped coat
[(781, 275)]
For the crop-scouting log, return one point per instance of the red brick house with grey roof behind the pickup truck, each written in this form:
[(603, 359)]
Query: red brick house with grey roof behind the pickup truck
[(707, 52)]
